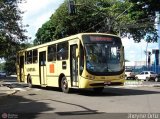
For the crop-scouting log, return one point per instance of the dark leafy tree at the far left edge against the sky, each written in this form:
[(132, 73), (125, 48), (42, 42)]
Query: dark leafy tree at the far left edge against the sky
[(11, 28)]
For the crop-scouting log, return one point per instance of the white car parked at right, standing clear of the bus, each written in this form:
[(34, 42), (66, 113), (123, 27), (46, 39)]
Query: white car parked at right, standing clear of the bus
[(147, 76)]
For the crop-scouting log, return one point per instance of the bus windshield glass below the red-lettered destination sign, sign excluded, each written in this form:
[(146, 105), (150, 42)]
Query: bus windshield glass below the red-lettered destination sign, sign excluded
[(103, 57)]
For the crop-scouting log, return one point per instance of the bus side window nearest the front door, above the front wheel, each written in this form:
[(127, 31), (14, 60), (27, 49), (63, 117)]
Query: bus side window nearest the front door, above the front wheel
[(62, 51)]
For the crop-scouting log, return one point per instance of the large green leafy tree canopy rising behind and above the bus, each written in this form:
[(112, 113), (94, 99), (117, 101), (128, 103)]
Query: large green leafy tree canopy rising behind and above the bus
[(112, 16)]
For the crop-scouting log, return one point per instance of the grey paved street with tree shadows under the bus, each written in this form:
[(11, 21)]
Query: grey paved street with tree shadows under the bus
[(50, 102)]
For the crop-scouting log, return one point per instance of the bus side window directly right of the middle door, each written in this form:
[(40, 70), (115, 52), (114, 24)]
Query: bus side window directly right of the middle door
[(52, 53)]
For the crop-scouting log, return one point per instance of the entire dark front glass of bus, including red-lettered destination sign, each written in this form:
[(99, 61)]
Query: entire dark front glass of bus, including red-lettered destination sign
[(103, 54)]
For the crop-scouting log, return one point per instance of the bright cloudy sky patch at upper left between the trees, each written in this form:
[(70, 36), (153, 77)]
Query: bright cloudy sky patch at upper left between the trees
[(37, 12)]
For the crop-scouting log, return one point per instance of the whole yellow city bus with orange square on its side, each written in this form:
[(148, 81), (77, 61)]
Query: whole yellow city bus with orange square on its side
[(85, 60)]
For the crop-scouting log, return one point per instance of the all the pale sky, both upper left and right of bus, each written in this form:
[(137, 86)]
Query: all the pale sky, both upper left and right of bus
[(37, 12)]
